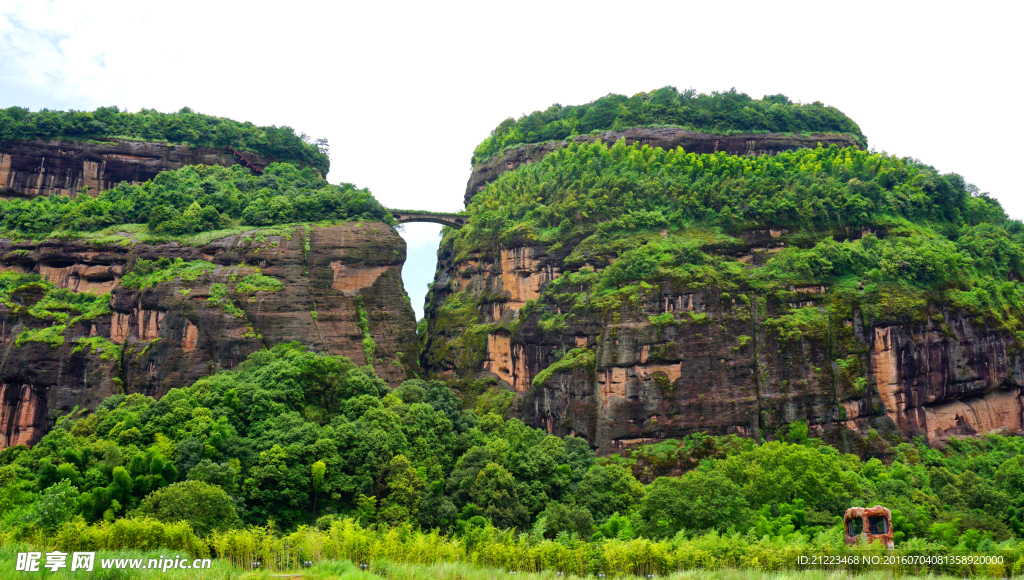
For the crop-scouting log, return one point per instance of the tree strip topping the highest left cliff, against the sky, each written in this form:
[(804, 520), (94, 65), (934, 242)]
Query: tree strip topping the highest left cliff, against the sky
[(186, 127)]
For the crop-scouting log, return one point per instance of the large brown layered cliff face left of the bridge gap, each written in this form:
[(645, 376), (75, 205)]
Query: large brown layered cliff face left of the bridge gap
[(170, 336)]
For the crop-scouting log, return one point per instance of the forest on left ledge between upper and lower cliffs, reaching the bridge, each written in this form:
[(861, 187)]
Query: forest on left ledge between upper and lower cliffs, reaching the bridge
[(196, 199)]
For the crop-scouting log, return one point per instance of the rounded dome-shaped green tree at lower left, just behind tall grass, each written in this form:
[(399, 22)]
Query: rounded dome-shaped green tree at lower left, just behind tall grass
[(204, 507)]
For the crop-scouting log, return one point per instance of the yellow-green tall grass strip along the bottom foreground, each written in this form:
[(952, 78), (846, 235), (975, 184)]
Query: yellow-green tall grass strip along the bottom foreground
[(491, 549)]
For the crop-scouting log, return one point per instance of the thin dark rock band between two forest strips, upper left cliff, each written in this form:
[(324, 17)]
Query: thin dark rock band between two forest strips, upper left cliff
[(55, 168)]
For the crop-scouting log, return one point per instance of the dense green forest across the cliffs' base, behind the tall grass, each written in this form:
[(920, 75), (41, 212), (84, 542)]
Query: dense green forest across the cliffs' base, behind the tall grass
[(296, 439)]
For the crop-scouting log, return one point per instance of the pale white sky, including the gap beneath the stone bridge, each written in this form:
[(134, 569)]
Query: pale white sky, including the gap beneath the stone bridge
[(405, 92)]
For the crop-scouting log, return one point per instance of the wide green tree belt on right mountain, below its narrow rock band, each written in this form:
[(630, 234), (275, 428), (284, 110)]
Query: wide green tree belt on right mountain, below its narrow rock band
[(600, 189)]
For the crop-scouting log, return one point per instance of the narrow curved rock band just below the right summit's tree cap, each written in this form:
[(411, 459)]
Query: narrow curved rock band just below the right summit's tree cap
[(666, 138)]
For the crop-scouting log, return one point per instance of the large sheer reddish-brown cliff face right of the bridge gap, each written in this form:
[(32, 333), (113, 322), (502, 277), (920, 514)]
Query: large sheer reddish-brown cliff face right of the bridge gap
[(677, 360)]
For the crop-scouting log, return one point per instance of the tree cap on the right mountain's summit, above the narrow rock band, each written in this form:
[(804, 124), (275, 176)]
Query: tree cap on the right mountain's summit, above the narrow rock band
[(728, 112)]
